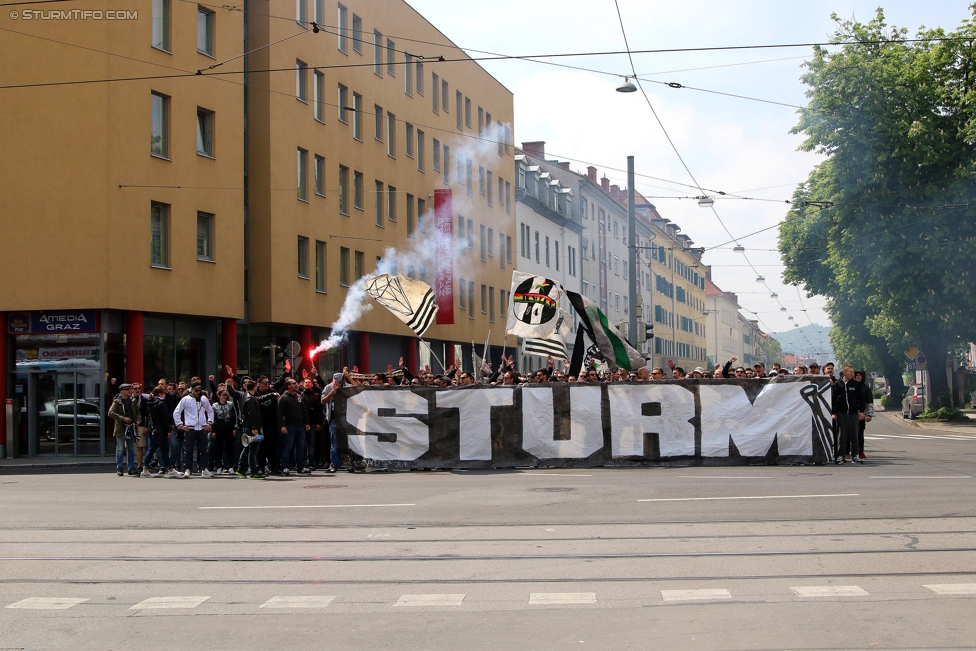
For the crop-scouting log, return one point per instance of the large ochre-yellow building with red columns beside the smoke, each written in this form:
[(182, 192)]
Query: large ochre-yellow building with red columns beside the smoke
[(164, 214)]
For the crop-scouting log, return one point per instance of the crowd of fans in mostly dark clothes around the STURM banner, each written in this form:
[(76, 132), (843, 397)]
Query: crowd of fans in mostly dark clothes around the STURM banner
[(258, 427)]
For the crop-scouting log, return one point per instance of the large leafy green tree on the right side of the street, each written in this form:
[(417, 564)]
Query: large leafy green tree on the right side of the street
[(884, 227)]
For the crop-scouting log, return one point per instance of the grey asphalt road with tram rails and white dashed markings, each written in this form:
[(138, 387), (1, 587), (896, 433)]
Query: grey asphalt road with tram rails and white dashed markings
[(879, 556)]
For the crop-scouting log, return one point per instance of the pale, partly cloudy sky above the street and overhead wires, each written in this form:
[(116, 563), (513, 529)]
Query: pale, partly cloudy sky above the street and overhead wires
[(729, 144)]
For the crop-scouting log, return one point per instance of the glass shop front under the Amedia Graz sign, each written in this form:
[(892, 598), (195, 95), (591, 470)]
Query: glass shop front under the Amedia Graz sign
[(55, 376)]
